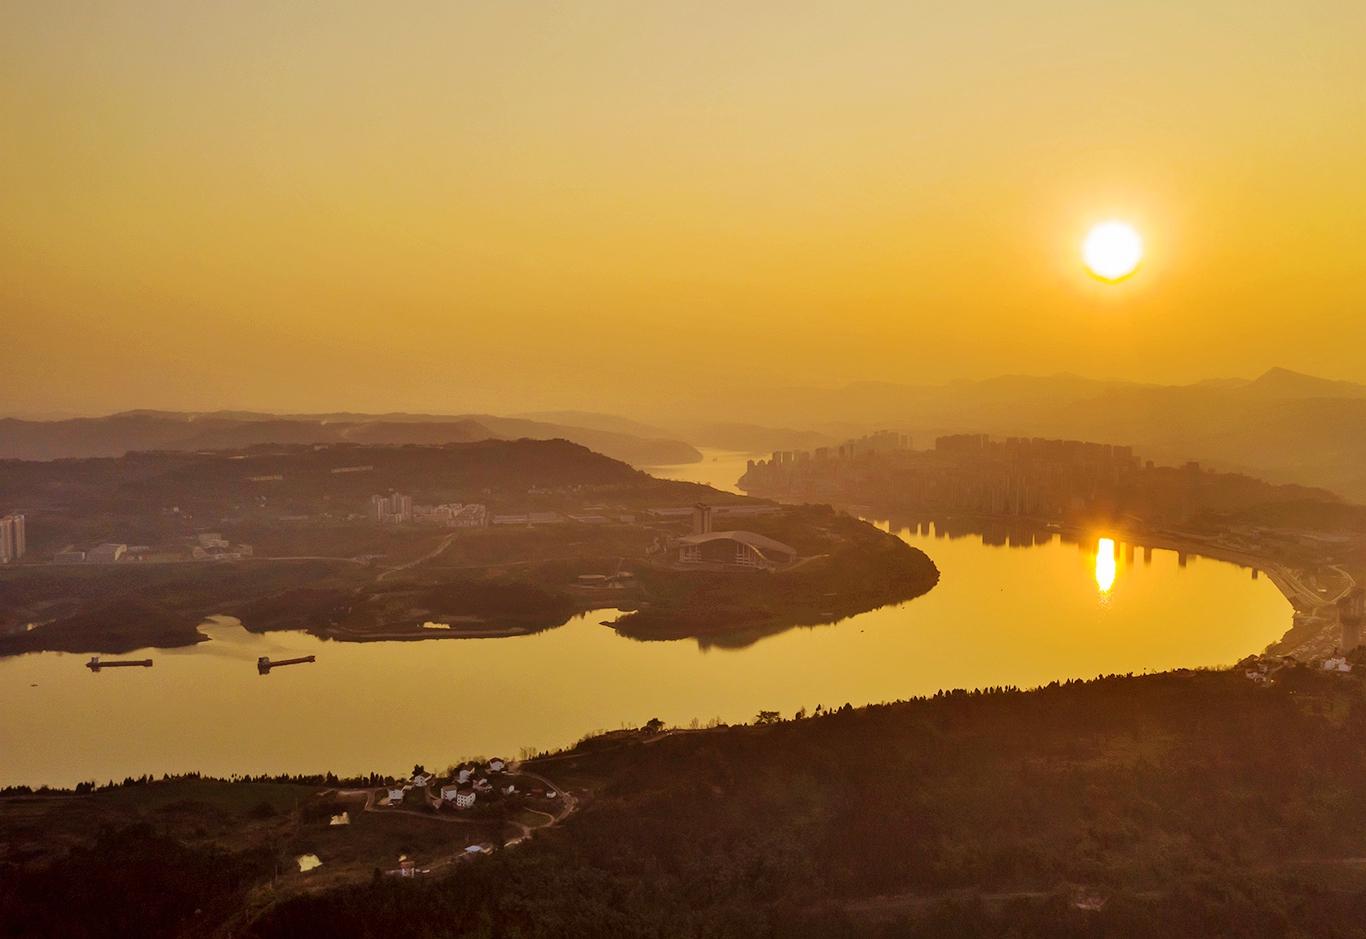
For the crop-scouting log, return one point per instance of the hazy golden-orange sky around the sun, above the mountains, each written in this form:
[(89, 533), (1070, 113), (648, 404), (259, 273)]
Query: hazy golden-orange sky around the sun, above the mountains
[(507, 206)]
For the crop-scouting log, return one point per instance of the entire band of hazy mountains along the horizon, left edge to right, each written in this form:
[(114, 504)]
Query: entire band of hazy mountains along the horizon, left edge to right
[(1283, 426)]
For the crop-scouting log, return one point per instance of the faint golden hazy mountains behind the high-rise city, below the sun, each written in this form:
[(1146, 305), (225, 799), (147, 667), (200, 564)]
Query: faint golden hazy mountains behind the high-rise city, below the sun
[(1283, 426)]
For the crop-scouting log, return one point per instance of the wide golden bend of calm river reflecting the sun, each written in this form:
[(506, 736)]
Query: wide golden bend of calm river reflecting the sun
[(1001, 616)]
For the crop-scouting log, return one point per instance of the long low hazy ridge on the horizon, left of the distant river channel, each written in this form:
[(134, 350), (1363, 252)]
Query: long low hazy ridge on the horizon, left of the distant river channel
[(133, 431)]
